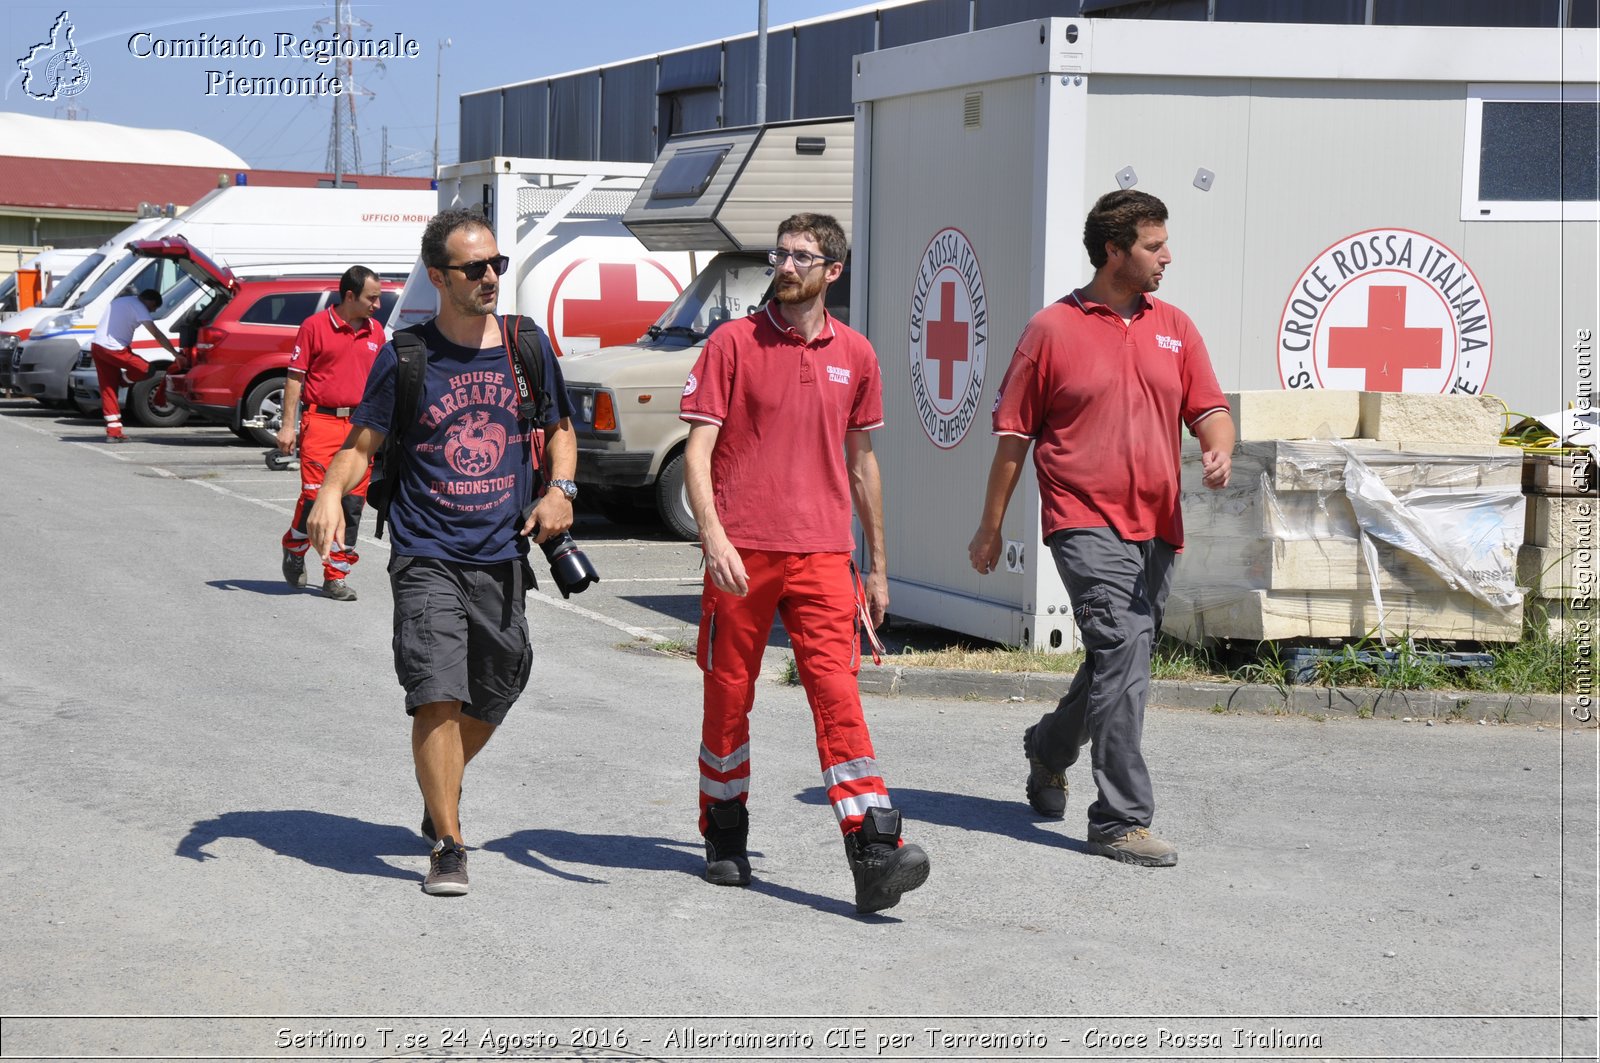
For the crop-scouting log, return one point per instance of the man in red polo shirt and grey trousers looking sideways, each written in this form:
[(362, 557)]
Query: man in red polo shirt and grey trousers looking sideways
[(1100, 385)]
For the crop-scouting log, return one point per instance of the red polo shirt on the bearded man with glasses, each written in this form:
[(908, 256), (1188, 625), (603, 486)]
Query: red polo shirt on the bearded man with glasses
[(783, 409)]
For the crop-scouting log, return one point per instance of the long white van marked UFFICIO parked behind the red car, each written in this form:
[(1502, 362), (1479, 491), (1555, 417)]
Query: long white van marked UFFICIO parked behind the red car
[(254, 231)]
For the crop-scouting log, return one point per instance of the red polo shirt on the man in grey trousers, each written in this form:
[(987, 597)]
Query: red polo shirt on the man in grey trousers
[(1103, 401)]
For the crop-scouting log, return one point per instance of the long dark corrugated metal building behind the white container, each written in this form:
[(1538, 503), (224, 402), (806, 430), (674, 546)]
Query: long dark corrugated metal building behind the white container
[(626, 111)]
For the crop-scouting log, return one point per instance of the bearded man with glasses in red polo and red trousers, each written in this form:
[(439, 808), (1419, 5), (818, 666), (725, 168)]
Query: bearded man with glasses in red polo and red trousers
[(782, 407)]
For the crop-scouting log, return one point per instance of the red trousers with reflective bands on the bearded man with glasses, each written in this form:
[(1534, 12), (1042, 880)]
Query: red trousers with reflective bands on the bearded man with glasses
[(817, 598)]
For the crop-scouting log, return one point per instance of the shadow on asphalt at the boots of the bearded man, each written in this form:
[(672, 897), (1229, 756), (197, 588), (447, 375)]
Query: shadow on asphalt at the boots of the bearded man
[(537, 848)]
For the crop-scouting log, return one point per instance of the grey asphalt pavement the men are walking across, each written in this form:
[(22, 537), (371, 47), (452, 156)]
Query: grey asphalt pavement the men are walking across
[(214, 854)]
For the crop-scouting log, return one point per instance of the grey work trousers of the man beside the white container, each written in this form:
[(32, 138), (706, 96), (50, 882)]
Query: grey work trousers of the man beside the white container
[(1118, 590)]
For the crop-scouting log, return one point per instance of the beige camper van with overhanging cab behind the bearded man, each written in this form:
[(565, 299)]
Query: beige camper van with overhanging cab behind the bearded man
[(726, 191)]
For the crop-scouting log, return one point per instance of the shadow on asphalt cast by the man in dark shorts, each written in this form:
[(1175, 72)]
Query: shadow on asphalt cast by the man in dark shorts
[(318, 838)]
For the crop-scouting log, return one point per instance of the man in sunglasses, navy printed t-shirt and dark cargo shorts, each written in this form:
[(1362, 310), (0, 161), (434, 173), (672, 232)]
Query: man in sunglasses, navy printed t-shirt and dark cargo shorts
[(466, 478)]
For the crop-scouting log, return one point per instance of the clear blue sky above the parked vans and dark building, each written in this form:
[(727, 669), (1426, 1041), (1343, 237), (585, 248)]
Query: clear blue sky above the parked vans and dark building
[(494, 44)]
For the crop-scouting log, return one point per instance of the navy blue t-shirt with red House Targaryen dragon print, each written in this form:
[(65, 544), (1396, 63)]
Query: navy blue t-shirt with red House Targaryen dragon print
[(468, 468)]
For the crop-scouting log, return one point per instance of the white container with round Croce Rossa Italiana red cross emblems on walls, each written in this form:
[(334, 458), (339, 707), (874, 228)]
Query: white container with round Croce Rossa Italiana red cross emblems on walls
[(1311, 172)]
